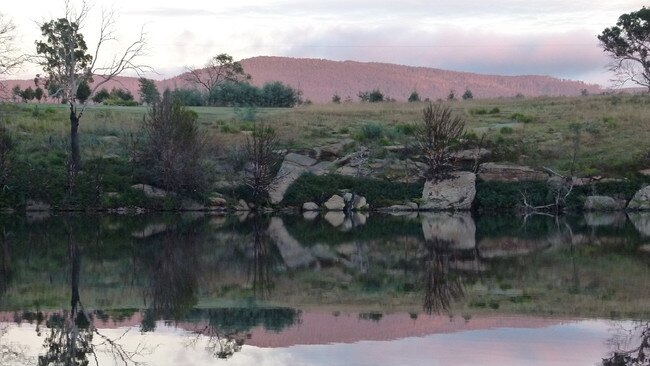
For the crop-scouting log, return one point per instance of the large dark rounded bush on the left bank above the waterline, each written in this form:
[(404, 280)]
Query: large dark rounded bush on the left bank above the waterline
[(170, 152)]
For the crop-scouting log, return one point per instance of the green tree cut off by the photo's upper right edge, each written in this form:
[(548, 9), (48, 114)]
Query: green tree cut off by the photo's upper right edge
[(628, 45)]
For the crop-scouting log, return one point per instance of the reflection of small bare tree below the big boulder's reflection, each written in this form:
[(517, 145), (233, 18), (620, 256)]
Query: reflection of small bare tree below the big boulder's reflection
[(440, 286)]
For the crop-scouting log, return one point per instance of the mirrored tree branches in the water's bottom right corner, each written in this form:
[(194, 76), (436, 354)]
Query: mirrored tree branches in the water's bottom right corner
[(626, 355)]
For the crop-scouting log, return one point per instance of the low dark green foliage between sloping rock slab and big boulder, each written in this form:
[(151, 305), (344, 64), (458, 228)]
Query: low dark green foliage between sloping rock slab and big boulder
[(379, 193)]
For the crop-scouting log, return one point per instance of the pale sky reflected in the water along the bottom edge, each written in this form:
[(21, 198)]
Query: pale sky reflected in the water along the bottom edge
[(580, 343)]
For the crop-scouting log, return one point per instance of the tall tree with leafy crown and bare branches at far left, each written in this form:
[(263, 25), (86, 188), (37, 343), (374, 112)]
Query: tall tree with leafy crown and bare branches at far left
[(64, 58)]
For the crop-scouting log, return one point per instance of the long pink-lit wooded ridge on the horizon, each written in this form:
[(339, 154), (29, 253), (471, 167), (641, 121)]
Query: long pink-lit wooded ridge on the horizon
[(320, 79)]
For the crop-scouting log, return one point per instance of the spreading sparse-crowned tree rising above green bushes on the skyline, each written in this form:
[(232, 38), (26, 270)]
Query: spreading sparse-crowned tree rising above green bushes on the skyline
[(218, 70)]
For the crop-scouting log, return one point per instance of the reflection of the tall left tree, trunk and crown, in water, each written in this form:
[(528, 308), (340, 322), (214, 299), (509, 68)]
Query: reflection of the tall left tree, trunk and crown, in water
[(73, 337)]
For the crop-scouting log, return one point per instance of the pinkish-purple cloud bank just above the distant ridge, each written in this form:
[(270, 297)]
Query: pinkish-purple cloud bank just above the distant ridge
[(564, 55)]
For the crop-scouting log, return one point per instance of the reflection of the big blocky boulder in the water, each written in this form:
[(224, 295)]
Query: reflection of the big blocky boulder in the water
[(458, 228)]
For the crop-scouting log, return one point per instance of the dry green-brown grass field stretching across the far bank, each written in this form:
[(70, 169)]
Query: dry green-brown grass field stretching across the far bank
[(608, 134)]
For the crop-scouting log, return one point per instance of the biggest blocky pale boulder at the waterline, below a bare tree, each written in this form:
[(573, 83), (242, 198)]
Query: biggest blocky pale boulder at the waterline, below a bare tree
[(454, 193)]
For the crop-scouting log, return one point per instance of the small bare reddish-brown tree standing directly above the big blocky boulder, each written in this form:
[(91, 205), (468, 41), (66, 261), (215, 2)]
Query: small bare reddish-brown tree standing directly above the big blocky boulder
[(435, 136)]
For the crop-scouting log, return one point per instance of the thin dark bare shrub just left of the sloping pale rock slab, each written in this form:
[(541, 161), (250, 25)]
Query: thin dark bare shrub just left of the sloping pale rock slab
[(260, 152)]
